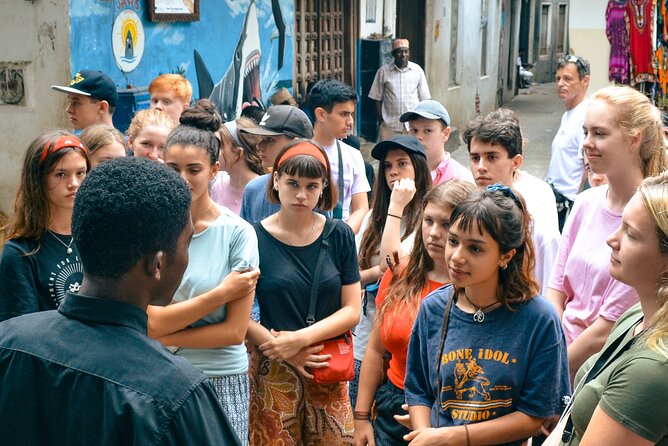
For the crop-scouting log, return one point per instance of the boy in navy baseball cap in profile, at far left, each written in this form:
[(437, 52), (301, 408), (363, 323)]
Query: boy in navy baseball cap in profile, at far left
[(91, 99)]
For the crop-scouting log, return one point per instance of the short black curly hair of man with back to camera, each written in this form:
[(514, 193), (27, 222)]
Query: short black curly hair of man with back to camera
[(127, 208)]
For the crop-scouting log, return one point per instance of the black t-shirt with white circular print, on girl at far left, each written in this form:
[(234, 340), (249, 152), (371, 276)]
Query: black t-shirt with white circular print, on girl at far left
[(39, 281)]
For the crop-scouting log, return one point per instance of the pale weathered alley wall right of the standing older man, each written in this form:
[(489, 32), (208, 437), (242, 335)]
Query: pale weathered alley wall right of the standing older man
[(460, 98)]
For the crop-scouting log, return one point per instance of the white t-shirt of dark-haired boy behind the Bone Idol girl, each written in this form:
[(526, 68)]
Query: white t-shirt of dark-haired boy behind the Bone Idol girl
[(541, 206)]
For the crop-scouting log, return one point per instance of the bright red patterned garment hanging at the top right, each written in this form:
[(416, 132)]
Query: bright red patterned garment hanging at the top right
[(641, 18)]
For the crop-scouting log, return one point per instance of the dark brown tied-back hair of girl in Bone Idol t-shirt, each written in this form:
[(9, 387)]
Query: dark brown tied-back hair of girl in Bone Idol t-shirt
[(504, 217)]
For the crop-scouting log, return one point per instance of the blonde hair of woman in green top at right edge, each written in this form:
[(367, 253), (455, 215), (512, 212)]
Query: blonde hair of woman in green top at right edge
[(654, 193)]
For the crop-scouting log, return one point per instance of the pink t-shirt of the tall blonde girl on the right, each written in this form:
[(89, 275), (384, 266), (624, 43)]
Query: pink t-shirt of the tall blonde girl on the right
[(581, 269)]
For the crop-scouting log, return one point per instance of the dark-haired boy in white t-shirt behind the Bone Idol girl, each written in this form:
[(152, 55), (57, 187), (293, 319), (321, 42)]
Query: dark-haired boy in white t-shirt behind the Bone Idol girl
[(495, 149)]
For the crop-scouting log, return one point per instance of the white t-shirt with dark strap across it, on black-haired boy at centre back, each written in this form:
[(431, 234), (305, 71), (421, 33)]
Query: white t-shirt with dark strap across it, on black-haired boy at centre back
[(354, 175)]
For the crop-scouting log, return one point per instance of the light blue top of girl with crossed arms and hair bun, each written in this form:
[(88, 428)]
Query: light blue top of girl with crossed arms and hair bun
[(228, 244)]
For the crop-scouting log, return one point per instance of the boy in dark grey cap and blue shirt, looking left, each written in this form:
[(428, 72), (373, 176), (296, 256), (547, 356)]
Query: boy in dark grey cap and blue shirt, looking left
[(280, 125)]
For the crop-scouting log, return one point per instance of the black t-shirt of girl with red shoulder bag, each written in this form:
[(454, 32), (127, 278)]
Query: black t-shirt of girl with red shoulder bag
[(284, 288)]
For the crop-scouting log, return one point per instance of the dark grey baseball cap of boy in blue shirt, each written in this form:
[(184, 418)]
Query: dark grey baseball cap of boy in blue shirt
[(283, 120)]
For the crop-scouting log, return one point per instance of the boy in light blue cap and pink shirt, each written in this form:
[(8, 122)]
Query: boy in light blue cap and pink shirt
[(429, 122)]
